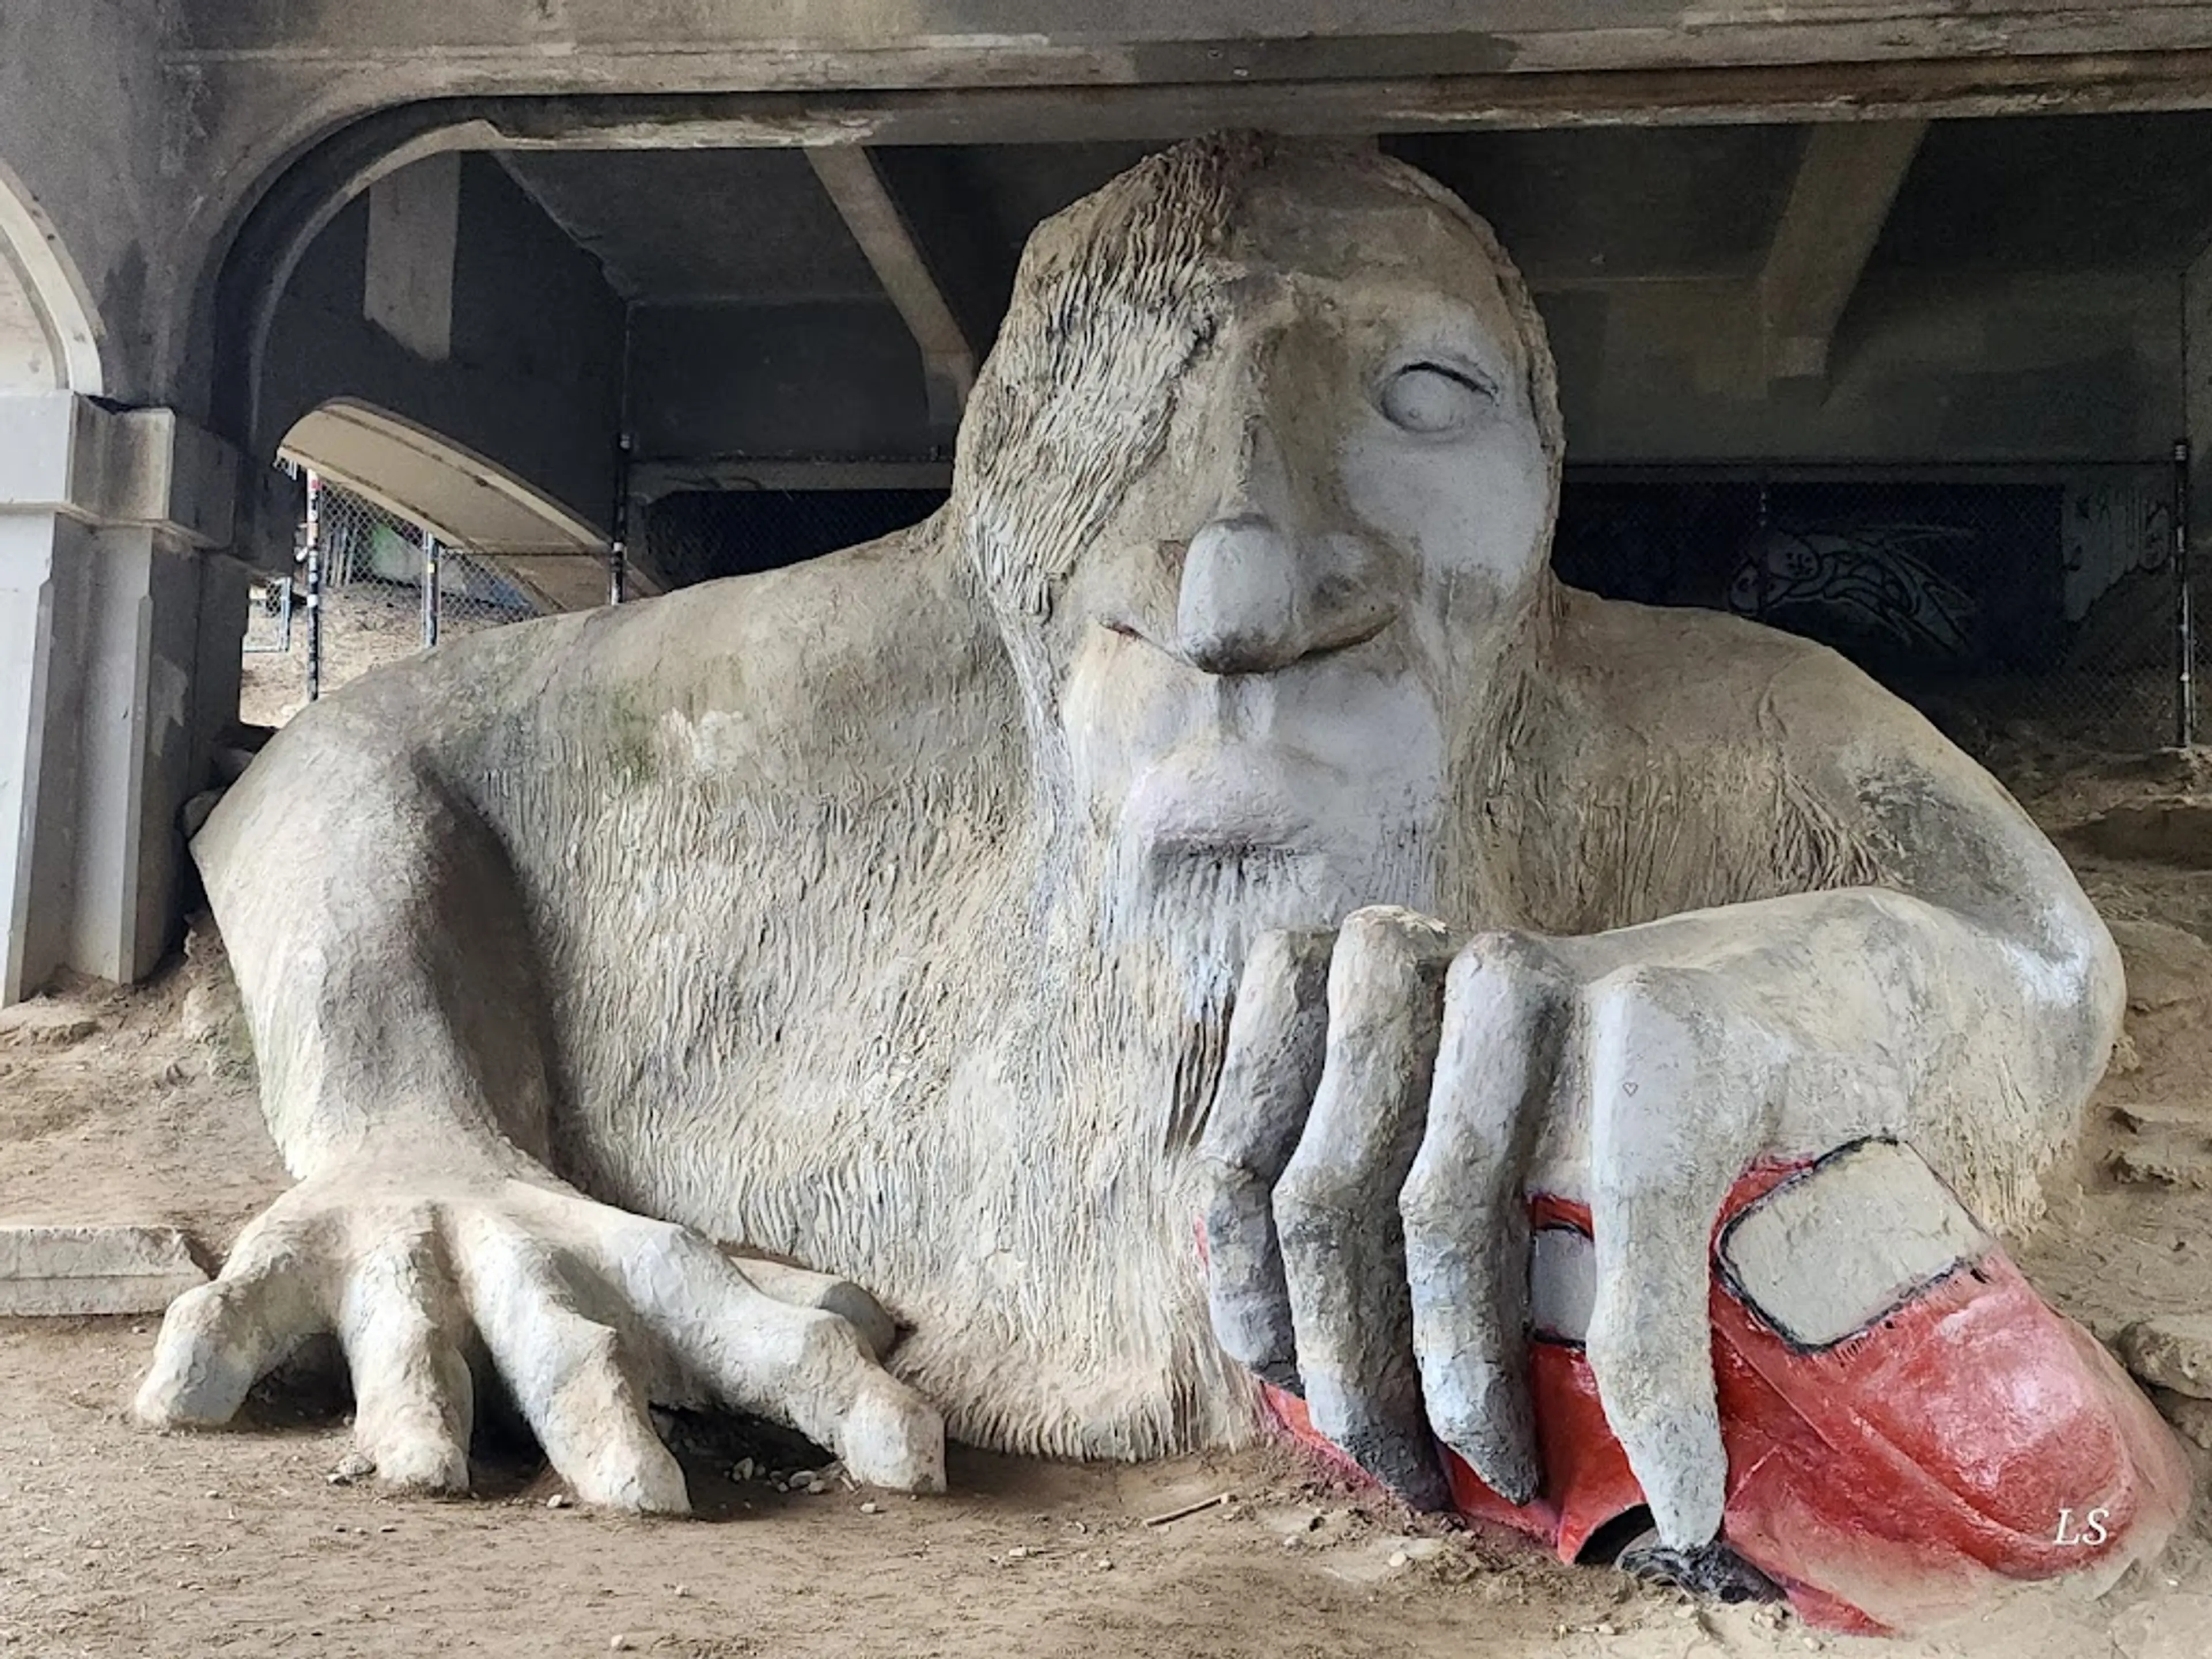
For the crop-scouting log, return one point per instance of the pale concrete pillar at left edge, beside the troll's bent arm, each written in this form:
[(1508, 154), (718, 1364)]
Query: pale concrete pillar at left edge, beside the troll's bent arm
[(109, 605)]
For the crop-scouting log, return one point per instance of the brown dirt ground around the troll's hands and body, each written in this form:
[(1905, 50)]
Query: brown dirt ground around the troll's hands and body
[(136, 1107)]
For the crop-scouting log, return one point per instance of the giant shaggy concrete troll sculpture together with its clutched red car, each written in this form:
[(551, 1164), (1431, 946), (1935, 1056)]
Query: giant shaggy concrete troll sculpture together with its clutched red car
[(1204, 930)]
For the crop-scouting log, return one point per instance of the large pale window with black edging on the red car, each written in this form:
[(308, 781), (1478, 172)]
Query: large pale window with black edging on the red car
[(1844, 1244)]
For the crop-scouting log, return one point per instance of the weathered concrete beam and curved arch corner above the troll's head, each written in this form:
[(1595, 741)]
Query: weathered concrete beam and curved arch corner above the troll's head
[(109, 109)]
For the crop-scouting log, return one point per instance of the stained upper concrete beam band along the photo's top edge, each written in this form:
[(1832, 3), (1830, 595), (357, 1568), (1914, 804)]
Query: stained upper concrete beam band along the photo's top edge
[(932, 43)]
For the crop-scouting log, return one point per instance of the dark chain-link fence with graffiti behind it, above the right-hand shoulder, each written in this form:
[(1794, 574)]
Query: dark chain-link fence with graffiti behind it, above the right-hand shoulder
[(2007, 607)]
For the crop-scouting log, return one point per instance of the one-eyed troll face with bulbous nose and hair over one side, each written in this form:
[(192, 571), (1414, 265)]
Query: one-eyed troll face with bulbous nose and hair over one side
[(1262, 483)]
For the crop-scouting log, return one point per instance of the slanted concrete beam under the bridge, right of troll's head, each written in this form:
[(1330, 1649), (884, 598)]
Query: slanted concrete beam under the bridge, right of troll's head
[(1830, 225)]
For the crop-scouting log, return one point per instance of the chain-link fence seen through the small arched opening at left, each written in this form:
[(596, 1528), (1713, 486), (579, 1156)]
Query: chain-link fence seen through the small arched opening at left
[(366, 587)]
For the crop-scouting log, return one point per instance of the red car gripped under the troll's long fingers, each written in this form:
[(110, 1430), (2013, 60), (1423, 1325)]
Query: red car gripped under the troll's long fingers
[(1906, 1421)]
